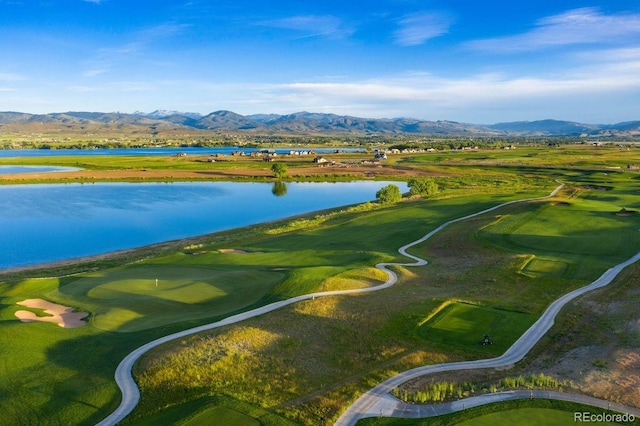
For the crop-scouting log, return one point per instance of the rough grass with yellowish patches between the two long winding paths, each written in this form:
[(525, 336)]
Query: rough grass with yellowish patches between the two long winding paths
[(465, 264)]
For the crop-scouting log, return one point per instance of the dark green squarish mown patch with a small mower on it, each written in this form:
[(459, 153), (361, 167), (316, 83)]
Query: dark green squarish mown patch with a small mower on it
[(464, 325)]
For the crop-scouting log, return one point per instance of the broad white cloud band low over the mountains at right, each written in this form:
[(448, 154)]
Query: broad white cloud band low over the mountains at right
[(603, 92)]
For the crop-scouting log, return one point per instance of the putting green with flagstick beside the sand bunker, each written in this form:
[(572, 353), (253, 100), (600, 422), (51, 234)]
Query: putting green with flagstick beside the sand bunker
[(129, 299)]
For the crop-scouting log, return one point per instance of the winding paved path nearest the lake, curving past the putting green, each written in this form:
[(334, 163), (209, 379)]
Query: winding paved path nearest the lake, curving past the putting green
[(131, 393)]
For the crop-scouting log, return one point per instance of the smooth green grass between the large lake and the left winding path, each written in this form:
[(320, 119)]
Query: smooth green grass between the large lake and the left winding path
[(125, 299)]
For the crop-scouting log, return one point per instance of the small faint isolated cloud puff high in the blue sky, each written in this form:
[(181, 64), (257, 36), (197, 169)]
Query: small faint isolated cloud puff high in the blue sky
[(417, 29)]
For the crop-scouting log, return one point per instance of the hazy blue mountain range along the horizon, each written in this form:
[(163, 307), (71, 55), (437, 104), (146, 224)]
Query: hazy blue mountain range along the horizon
[(307, 122)]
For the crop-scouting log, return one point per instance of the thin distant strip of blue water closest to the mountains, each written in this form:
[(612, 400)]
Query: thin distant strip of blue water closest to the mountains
[(227, 150)]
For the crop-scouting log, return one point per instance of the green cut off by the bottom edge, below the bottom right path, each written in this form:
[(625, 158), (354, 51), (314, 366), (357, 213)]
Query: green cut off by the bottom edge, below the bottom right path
[(525, 417)]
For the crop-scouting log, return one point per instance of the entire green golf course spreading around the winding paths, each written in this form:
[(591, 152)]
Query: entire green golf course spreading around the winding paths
[(491, 274)]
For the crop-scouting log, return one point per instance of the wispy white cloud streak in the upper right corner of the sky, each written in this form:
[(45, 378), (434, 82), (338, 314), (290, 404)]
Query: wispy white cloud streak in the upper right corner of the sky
[(577, 26)]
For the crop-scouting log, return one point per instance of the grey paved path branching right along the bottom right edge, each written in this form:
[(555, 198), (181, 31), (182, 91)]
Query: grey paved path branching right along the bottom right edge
[(392, 407)]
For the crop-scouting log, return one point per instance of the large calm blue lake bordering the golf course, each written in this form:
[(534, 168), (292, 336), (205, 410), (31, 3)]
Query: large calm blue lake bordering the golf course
[(43, 223)]
